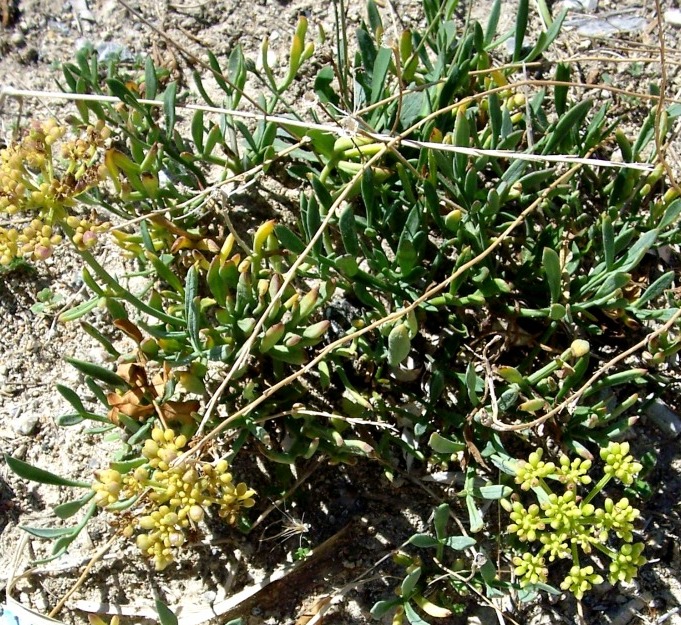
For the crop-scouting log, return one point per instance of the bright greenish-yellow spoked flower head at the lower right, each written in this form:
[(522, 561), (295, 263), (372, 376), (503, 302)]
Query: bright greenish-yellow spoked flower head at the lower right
[(563, 526)]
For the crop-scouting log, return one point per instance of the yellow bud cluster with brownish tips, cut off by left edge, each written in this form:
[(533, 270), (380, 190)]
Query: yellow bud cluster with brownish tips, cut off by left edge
[(40, 177)]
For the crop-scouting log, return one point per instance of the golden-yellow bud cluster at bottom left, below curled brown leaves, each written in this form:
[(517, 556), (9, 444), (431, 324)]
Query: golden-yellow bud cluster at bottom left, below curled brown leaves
[(177, 497)]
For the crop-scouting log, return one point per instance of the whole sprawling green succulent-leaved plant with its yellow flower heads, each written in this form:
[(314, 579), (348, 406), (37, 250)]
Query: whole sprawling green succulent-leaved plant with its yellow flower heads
[(464, 263)]
